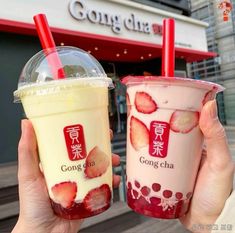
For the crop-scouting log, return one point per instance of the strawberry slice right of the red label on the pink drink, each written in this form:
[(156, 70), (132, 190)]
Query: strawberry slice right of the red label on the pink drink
[(183, 121)]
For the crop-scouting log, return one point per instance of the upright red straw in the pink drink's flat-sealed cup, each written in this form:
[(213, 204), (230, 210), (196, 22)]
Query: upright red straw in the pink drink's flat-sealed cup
[(168, 48)]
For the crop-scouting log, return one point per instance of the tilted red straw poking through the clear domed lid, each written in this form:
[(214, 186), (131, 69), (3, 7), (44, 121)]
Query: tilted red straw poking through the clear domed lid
[(48, 44)]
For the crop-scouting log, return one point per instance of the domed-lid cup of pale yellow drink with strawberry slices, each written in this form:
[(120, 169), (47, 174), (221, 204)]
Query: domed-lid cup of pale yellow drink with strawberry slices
[(70, 119)]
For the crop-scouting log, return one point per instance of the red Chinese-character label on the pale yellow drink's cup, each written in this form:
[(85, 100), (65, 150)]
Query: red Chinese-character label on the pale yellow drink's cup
[(74, 138)]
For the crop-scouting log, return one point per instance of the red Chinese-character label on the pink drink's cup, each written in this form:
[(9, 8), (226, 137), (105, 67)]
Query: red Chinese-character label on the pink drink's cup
[(159, 137)]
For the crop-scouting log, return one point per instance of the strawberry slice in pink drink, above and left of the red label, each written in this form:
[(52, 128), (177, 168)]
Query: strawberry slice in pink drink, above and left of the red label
[(144, 103)]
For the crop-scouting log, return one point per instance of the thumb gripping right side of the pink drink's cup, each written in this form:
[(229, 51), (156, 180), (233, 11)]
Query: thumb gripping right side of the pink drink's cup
[(218, 154)]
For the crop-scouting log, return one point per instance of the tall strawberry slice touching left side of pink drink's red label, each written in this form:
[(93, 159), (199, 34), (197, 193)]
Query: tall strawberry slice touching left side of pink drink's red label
[(139, 134)]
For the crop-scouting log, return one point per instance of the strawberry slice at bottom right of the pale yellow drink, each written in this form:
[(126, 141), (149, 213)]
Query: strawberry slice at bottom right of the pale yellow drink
[(97, 198)]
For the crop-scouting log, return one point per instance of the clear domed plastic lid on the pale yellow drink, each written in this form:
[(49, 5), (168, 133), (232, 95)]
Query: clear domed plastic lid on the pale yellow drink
[(61, 64)]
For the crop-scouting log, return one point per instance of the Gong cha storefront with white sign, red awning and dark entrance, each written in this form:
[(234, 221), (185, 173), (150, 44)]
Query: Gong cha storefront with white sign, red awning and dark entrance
[(125, 36)]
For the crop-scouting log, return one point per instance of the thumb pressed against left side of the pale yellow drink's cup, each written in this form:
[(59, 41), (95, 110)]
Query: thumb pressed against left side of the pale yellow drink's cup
[(28, 162)]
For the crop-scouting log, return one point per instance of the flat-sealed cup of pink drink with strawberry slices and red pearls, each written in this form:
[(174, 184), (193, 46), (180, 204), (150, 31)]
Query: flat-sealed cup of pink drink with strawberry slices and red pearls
[(164, 142)]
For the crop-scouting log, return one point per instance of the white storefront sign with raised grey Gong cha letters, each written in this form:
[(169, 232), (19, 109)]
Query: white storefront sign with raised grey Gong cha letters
[(118, 19)]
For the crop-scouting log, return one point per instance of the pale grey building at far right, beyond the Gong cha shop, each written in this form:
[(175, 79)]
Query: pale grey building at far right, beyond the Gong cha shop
[(220, 39)]
